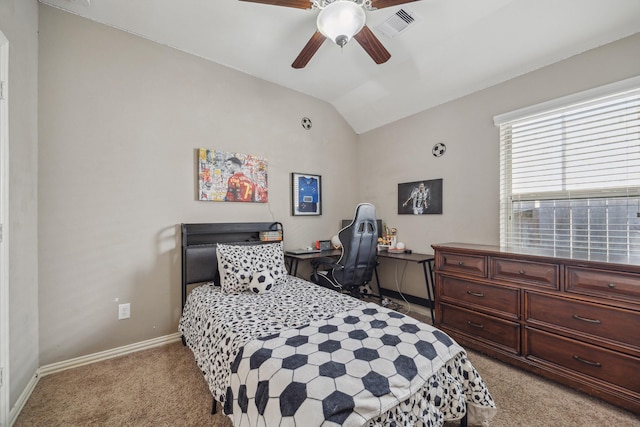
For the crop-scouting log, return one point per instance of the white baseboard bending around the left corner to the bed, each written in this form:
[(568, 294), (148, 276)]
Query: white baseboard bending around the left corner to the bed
[(85, 360)]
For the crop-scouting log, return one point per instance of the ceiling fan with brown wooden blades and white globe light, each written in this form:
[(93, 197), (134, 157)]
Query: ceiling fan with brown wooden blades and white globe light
[(339, 20)]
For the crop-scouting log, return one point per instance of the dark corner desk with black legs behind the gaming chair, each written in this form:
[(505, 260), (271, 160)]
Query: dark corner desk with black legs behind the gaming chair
[(425, 259)]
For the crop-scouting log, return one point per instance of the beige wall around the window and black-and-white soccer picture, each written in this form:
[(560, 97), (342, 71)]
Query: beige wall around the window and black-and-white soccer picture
[(401, 152)]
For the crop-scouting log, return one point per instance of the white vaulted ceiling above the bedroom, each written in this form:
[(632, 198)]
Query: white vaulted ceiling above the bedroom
[(457, 46)]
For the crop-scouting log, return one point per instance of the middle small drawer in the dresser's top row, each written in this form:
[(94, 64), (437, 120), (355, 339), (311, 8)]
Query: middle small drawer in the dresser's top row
[(526, 272)]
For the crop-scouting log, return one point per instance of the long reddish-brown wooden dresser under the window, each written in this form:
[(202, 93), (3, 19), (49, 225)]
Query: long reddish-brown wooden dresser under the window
[(572, 318)]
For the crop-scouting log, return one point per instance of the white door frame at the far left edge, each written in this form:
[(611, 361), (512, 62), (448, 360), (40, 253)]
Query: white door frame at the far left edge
[(4, 238)]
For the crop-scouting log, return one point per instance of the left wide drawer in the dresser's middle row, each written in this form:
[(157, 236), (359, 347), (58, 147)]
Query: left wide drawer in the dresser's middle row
[(498, 299)]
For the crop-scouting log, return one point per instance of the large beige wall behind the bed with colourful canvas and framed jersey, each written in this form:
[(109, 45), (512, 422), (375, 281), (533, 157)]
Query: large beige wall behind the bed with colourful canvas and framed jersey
[(120, 121)]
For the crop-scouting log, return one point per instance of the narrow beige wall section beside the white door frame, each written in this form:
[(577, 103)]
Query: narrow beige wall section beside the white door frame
[(19, 23)]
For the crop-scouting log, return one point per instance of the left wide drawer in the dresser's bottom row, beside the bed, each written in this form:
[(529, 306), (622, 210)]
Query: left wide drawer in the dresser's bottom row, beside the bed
[(500, 332)]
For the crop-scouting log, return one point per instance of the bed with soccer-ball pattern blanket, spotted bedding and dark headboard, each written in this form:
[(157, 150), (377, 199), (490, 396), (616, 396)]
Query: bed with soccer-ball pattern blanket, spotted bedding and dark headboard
[(296, 354)]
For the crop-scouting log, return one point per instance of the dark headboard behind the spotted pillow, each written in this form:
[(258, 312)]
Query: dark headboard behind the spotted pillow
[(199, 261)]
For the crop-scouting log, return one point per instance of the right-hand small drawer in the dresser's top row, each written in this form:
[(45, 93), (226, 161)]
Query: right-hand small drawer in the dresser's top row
[(609, 284)]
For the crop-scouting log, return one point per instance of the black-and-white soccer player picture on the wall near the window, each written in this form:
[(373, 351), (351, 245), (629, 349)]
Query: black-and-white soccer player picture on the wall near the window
[(420, 197)]
